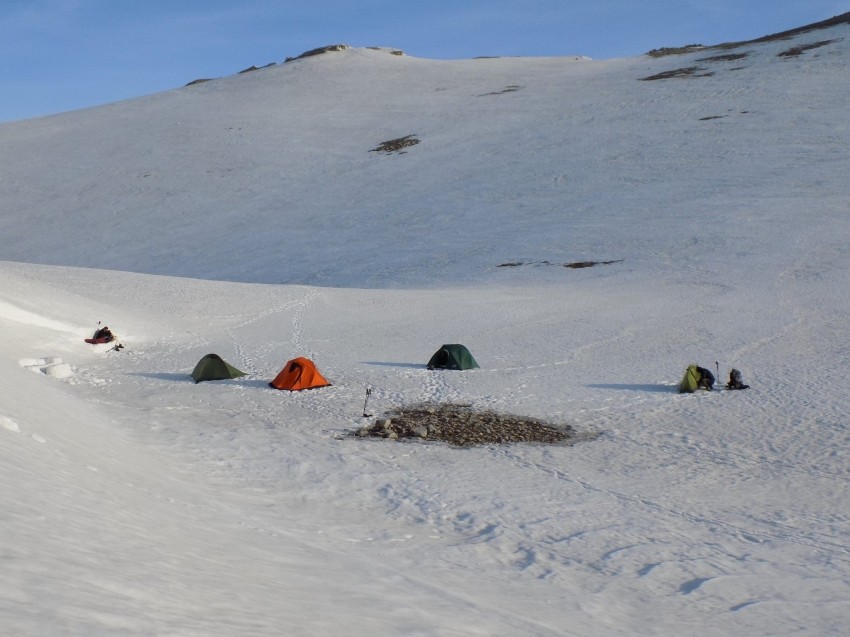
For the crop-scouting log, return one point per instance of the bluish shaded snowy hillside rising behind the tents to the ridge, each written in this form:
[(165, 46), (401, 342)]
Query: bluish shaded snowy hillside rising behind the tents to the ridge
[(244, 178)]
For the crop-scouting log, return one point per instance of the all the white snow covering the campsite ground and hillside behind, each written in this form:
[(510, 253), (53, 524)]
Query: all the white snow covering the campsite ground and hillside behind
[(247, 217)]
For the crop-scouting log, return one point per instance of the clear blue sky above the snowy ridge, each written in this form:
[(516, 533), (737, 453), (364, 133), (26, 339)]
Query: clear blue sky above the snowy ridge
[(60, 55)]
